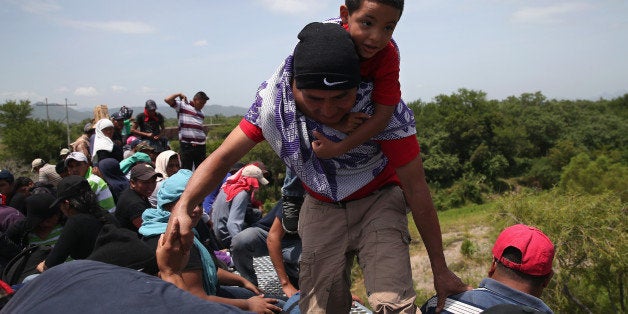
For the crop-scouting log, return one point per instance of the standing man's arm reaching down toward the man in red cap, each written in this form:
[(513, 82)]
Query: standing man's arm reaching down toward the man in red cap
[(418, 198)]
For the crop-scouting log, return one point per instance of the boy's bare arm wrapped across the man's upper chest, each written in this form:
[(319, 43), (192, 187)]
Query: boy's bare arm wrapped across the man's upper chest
[(325, 148)]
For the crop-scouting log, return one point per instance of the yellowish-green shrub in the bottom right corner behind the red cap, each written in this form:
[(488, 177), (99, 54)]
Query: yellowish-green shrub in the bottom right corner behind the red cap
[(591, 238)]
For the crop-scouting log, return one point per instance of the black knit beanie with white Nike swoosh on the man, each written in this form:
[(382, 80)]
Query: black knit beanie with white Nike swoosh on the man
[(325, 58)]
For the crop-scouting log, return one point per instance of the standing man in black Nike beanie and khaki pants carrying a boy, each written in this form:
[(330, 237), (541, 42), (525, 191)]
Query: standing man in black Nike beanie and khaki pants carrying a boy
[(355, 205)]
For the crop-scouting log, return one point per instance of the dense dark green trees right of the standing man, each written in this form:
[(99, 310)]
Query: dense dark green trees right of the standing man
[(473, 146)]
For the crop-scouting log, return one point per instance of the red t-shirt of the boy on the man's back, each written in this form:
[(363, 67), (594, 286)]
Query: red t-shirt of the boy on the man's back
[(383, 70)]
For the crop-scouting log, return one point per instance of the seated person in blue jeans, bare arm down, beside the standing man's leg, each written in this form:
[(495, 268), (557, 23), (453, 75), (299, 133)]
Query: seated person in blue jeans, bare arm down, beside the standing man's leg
[(251, 242)]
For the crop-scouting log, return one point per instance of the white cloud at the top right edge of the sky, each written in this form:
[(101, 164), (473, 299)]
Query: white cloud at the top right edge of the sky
[(548, 14)]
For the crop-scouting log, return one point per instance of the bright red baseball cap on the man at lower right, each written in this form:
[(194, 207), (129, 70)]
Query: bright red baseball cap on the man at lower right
[(537, 250)]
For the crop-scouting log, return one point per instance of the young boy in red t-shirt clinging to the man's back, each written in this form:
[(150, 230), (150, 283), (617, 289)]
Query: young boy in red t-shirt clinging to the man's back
[(371, 24)]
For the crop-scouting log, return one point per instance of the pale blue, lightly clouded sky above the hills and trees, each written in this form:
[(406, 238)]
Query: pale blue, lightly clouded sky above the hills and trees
[(125, 52)]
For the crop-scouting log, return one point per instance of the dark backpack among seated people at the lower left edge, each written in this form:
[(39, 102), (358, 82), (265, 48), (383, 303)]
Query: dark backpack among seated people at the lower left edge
[(25, 263)]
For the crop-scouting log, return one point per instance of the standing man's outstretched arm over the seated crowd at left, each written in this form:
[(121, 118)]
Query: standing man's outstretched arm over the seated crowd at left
[(206, 177)]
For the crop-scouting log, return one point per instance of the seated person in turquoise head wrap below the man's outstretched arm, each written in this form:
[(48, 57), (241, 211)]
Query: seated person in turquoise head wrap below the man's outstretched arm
[(200, 276)]
